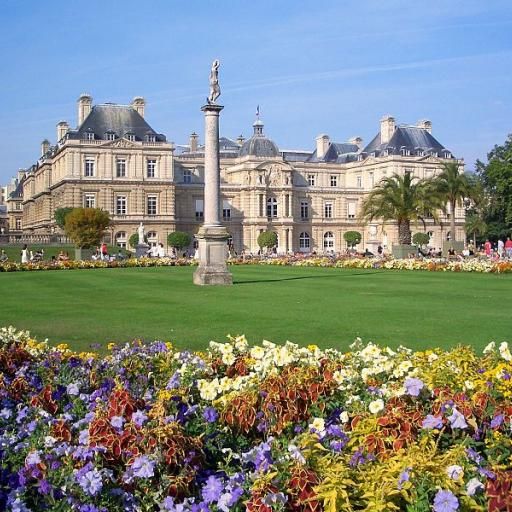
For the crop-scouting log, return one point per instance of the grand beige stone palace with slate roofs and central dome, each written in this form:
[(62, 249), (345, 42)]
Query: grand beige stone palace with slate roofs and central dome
[(115, 160)]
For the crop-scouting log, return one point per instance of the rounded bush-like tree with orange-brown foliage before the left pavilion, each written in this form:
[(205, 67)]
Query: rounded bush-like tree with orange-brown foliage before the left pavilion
[(86, 226)]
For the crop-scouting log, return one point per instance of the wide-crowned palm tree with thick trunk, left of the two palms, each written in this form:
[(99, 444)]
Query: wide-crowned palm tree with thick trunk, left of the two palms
[(403, 199)]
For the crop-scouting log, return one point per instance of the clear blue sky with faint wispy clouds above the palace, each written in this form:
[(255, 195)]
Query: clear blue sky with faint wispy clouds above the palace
[(313, 67)]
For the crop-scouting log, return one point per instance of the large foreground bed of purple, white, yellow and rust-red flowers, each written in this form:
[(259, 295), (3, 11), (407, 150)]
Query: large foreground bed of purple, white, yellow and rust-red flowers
[(259, 428)]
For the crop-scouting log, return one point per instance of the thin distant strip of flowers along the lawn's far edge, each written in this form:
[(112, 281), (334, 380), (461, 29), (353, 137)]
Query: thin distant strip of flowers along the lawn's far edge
[(431, 265)]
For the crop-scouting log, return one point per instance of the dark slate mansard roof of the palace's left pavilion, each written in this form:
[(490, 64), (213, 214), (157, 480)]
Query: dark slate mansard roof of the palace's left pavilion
[(117, 119)]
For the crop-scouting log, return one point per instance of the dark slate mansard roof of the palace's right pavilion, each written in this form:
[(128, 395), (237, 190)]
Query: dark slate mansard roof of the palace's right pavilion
[(410, 138)]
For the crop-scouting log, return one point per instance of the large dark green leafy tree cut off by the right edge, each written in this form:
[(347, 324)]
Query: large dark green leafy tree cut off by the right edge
[(496, 178)]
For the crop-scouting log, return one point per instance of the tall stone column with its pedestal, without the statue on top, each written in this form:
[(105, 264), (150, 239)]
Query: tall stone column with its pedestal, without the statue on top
[(212, 236)]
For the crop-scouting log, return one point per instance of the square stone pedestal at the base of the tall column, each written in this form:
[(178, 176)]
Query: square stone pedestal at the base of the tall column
[(213, 269)]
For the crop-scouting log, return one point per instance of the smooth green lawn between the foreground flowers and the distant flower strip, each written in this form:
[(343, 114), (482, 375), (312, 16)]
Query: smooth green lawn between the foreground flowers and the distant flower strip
[(329, 307)]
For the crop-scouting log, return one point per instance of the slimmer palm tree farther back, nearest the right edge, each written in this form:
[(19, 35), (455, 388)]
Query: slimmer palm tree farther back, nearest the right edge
[(451, 187)]
